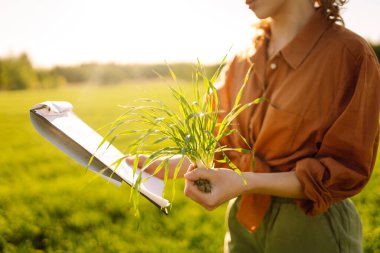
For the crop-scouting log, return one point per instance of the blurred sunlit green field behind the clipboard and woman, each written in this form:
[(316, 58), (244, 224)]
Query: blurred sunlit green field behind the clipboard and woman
[(48, 203)]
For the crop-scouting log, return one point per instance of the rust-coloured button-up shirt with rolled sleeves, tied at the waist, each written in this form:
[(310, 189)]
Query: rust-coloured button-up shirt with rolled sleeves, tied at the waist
[(322, 118)]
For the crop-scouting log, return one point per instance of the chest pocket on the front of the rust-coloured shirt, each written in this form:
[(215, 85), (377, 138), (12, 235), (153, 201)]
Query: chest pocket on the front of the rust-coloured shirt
[(278, 132)]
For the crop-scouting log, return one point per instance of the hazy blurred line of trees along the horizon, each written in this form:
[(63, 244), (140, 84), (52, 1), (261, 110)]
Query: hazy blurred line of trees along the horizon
[(18, 73)]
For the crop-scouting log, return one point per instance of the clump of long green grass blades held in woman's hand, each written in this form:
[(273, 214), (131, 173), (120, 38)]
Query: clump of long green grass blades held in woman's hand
[(193, 130)]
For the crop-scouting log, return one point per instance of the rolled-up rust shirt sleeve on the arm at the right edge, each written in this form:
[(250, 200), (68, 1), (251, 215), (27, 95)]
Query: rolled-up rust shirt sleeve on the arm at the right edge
[(348, 151)]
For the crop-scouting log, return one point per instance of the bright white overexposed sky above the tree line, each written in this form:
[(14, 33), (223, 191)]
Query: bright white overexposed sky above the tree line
[(67, 32)]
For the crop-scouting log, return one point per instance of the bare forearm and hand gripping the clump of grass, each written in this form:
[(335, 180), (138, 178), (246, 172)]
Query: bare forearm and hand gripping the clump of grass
[(226, 184)]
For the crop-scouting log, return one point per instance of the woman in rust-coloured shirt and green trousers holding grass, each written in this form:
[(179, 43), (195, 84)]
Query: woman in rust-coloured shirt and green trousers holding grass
[(315, 140)]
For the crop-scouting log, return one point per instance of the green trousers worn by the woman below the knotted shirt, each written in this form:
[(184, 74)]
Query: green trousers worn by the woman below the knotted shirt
[(286, 229)]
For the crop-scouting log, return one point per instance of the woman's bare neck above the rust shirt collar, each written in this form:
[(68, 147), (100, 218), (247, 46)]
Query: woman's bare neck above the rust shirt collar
[(287, 22)]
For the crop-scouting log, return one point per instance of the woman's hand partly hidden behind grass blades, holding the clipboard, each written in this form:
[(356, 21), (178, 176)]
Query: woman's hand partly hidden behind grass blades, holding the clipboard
[(161, 173)]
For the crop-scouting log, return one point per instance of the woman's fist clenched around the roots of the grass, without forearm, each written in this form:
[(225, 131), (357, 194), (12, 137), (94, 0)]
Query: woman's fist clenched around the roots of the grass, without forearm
[(226, 184)]
